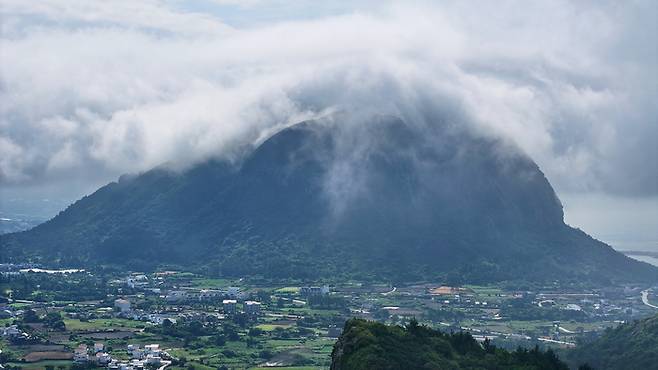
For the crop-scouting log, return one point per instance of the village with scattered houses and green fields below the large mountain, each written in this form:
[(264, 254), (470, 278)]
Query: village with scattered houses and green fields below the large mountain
[(181, 320)]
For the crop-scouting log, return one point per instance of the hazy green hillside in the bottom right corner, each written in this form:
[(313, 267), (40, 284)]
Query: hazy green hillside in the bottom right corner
[(632, 345)]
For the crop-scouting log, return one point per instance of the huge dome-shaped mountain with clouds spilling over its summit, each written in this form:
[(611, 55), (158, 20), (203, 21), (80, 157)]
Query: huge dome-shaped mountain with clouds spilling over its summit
[(329, 198)]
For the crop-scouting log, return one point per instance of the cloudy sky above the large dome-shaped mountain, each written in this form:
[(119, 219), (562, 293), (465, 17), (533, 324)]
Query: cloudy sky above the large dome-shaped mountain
[(90, 90)]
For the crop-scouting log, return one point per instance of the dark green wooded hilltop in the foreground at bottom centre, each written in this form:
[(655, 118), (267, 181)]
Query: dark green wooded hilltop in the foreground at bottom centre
[(372, 345)]
